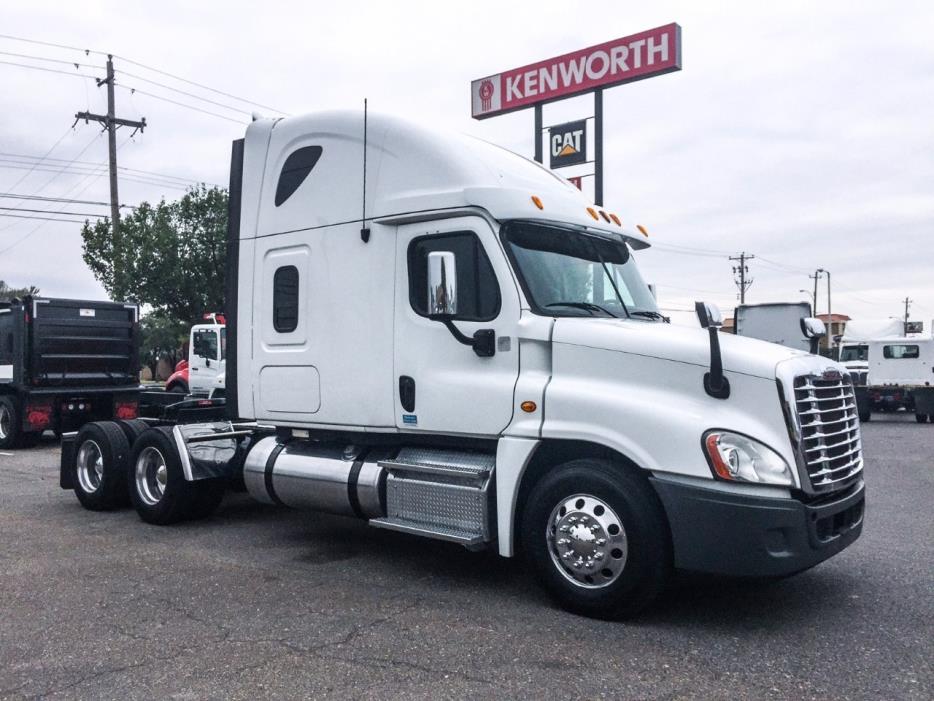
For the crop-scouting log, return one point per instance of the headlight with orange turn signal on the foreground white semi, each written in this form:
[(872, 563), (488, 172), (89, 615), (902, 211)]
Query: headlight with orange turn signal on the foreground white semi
[(738, 458)]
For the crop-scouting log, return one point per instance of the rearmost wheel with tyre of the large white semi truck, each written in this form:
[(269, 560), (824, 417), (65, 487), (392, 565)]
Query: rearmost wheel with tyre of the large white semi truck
[(100, 467)]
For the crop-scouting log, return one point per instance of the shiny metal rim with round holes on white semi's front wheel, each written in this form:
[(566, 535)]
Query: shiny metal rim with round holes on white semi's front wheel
[(587, 541)]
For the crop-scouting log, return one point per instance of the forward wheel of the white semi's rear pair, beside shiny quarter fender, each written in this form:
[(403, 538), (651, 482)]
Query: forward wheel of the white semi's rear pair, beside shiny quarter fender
[(158, 489)]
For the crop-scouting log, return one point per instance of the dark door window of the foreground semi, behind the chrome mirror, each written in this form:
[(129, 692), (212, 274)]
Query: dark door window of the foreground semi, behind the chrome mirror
[(478, 295)]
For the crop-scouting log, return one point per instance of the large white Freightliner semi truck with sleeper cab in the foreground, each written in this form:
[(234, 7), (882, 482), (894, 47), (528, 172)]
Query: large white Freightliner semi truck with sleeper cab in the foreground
[(451, 342)]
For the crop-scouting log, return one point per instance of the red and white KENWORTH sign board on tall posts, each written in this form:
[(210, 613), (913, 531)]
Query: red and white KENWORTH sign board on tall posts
[(643, 55)]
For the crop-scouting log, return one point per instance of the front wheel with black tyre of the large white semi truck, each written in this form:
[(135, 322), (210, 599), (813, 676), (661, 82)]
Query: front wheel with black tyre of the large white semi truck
[(598, 538)]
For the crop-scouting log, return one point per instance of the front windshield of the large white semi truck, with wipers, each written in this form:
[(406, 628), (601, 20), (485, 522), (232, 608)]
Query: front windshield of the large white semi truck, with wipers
[(568, 272)]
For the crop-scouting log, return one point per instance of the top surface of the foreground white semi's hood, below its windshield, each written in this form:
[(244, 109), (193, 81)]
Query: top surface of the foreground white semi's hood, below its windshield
[(679, 344)]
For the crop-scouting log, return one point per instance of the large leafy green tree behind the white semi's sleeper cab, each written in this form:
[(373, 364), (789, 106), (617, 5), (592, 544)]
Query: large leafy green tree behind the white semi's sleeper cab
[(170, 256)]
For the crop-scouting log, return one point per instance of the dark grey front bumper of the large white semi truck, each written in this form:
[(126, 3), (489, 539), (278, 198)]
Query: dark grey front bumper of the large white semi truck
[(735, 534)]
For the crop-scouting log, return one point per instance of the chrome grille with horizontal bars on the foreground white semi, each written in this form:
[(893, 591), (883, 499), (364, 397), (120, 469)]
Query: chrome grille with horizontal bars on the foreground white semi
[(829, 424)]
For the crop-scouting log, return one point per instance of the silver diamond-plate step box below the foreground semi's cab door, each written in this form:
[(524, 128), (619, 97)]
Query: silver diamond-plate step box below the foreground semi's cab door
[(443, 494)]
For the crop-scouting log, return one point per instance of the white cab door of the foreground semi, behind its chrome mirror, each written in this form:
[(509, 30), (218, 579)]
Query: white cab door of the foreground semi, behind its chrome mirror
[(441, 384)]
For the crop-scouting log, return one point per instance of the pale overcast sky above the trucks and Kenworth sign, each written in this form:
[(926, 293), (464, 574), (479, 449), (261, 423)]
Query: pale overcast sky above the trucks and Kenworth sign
[(800, 132)]
